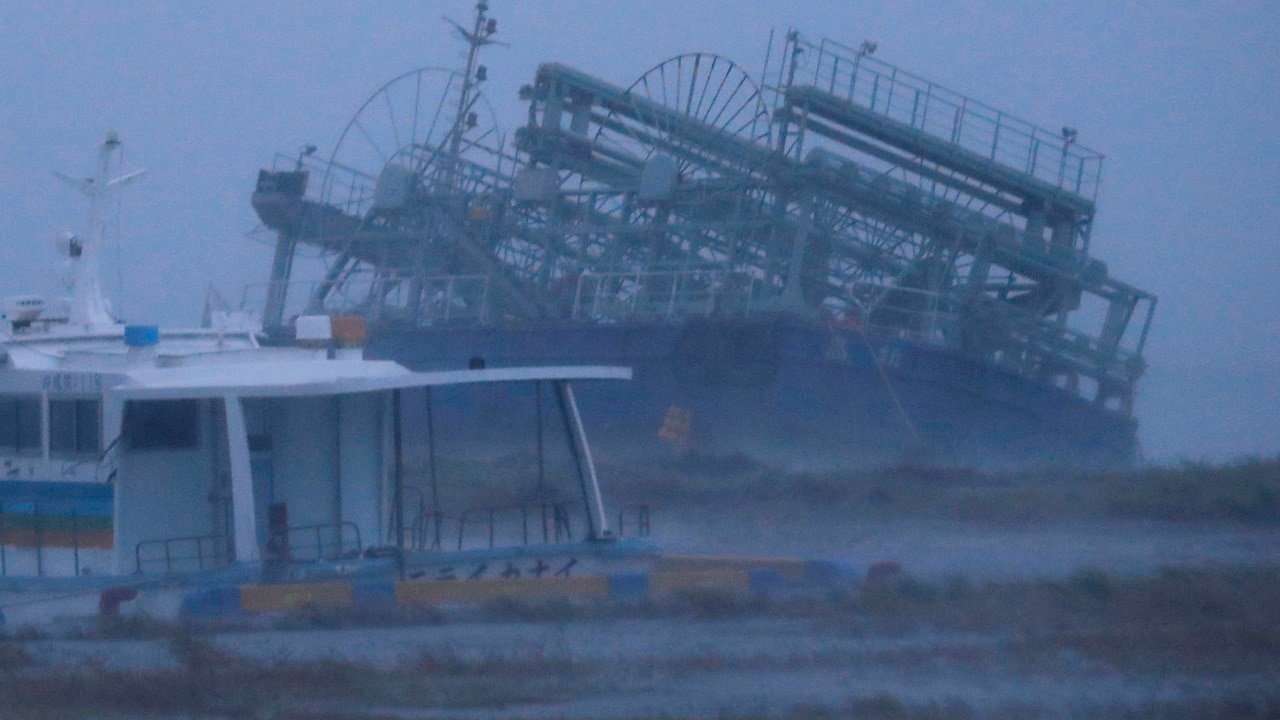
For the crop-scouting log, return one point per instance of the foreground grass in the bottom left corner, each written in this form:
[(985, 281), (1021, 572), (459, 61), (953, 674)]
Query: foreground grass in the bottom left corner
[(212, 682)]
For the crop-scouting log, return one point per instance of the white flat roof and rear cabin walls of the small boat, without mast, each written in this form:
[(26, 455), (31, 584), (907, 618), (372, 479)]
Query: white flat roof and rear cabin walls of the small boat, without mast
[(200, 432)]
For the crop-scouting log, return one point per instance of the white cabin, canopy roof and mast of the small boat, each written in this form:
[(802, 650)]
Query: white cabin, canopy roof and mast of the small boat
[(194, 435)]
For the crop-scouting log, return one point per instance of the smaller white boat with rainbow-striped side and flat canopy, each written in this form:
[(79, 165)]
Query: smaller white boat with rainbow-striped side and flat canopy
[(147, 462)]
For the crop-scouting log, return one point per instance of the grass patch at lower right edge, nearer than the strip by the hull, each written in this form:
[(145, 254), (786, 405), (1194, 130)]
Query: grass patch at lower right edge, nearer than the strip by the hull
[(1191, 621)]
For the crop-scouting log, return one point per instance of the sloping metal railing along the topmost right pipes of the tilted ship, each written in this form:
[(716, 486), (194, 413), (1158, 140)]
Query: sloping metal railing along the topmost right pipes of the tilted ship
[(1050, 157)]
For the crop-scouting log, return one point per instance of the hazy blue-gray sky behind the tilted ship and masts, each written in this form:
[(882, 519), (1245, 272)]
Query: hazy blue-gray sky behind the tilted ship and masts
[(1183, 98)]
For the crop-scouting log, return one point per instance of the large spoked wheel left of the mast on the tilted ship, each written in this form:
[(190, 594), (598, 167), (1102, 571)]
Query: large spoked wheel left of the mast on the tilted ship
[(395, 162)]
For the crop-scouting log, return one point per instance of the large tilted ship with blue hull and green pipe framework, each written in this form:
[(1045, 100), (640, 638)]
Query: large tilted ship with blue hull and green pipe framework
[(838, 263)]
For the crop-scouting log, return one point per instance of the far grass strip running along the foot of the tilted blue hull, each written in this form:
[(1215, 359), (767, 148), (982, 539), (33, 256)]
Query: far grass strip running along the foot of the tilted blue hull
[(1247, 491)]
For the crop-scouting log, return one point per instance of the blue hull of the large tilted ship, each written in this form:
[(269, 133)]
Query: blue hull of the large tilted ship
[(774, 389)]
